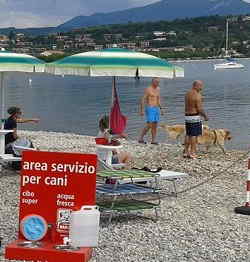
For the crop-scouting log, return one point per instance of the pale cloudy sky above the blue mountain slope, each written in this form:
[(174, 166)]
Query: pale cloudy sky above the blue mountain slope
[(43, 13)]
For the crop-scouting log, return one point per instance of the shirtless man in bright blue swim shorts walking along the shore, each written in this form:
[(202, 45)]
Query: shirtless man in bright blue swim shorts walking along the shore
[(150, 102)]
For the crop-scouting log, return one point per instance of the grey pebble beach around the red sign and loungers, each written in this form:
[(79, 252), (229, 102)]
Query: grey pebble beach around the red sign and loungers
[(197, 225)]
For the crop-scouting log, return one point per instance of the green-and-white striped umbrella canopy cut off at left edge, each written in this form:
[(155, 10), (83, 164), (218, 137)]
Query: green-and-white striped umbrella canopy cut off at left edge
[(13, 62)]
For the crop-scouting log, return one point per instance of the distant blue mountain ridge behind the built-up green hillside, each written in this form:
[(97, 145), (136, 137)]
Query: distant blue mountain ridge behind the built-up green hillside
[(162, 10)]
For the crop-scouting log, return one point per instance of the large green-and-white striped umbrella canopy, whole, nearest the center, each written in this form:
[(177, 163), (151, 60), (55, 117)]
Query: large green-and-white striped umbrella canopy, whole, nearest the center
[(114, 62)]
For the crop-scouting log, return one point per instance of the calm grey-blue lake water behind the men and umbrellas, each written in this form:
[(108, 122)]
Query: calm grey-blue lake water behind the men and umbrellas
[(74, 104)]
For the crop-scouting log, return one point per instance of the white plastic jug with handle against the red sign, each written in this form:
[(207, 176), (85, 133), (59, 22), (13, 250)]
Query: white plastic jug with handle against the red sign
[(84, 227)]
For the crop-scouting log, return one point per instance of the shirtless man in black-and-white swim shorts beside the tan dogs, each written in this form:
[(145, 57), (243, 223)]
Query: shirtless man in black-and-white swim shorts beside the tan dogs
[(193, 112)]
